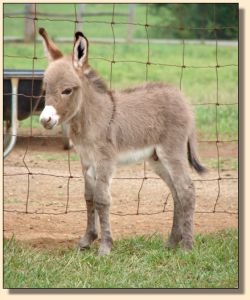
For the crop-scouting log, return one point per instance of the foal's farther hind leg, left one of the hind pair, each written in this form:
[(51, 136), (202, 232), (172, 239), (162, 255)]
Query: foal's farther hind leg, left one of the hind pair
[(176, 232)]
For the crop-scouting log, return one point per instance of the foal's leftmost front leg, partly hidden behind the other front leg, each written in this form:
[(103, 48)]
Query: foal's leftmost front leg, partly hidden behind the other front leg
[(91, 233)]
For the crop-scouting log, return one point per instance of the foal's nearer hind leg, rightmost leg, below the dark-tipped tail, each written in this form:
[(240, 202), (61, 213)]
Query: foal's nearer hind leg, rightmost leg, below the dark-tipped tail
[(177, 165)]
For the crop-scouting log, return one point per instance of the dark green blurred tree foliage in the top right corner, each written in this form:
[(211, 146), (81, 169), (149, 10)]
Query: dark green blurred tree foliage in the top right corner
[(188, 20)]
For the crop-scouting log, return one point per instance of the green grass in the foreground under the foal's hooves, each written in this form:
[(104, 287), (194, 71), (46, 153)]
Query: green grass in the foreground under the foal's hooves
[(139, 262)]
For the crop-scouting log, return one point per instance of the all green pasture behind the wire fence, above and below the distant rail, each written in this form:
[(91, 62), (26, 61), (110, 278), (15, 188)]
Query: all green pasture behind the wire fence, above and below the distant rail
[(198, 84)]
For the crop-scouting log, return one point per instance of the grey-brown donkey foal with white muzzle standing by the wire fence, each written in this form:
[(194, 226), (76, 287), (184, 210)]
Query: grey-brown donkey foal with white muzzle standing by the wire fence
[(151, 122)]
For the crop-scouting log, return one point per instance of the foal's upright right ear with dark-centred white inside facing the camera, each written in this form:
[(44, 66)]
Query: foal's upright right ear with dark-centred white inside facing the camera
[(80, 55)]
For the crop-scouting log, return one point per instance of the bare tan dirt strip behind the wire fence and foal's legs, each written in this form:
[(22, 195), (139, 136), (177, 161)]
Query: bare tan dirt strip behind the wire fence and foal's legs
[(50, 193)]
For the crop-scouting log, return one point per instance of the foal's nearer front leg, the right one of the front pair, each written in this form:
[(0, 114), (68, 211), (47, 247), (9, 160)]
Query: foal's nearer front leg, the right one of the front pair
[(102, 200)]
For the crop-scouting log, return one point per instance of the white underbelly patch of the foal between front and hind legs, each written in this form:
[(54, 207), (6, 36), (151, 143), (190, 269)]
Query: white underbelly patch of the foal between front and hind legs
[(135, 155)]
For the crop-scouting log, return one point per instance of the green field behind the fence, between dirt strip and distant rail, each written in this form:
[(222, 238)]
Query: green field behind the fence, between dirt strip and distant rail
[(198, 84)]
